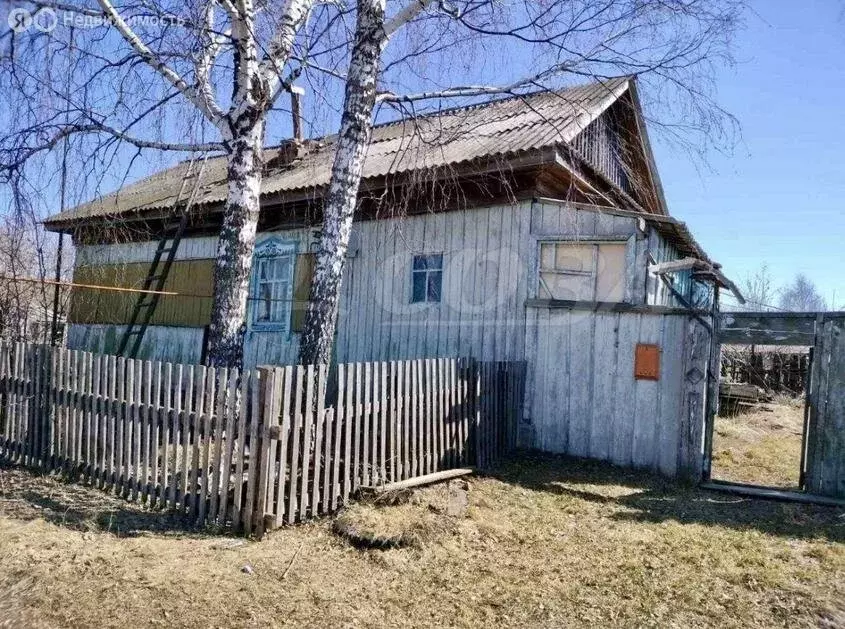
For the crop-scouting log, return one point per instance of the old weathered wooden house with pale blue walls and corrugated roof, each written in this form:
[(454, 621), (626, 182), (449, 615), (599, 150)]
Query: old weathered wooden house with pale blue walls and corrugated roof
[(525, 228)]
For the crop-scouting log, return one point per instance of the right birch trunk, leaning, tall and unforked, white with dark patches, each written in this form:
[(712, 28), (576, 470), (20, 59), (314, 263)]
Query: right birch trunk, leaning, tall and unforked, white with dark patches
[(339, 206)]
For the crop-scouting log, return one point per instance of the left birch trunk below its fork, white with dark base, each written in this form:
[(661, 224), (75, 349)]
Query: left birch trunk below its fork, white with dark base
[(235, 247)]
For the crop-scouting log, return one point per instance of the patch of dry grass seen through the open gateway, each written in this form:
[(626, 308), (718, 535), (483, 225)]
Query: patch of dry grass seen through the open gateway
[(762, 447)]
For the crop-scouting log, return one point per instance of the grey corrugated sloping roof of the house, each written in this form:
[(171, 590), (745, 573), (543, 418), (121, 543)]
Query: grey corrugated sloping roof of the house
[(497, 128)]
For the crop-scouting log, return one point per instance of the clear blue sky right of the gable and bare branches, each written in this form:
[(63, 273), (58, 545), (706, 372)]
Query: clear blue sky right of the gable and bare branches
[(780, 197)]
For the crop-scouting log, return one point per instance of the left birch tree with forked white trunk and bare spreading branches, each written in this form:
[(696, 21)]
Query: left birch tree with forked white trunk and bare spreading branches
[(193, 54)]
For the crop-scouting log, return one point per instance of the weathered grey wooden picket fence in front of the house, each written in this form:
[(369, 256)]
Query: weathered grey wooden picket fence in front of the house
[(251, 450)]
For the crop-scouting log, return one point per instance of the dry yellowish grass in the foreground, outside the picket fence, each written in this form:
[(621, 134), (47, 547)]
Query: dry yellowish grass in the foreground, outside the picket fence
[(544, 542)]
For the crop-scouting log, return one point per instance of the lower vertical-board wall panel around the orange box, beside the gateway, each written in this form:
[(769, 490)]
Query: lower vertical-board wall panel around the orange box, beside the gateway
[(582, 398)]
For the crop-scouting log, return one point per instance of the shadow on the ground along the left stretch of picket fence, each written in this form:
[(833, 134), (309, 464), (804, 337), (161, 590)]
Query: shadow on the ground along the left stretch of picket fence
[(27, 495)]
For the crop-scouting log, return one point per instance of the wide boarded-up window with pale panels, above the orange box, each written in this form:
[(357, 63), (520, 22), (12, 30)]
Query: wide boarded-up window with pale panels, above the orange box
[(582, 271)]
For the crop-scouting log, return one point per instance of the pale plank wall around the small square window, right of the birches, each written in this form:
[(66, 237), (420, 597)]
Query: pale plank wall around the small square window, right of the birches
[(484, 287)]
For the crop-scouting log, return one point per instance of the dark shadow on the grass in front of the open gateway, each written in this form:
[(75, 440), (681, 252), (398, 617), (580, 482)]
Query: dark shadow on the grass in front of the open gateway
[(648, 497)]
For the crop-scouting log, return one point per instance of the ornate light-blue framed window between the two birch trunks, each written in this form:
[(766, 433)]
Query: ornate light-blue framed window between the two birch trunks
[(272, 285)]
